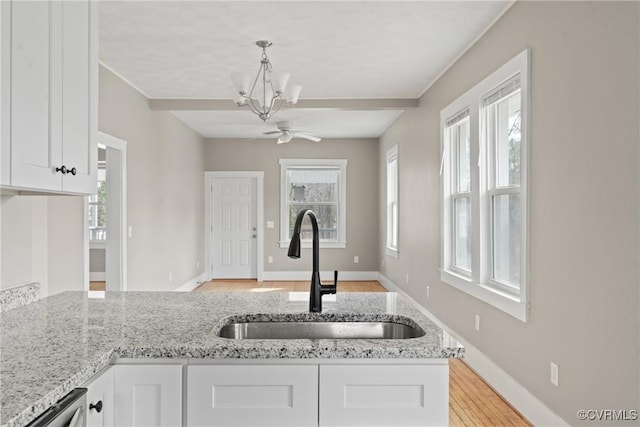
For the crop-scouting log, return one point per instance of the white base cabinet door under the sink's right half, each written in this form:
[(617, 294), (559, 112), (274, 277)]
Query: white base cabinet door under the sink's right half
[(384, 395)]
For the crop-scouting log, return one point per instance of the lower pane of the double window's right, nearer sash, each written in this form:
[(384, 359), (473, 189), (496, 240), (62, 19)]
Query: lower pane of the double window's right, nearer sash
[(506, 221)]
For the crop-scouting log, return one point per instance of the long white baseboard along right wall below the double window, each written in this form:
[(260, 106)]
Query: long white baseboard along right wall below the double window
[(519, 397)]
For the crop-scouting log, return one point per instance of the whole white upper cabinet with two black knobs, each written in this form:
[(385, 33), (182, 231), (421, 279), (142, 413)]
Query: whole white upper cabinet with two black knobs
[(48, 91)]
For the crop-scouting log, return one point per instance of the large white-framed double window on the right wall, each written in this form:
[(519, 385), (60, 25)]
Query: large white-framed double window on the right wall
[(484, 189)]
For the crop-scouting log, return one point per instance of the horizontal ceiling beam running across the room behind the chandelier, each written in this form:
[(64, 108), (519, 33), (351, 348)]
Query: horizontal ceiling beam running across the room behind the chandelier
[(327, 104)]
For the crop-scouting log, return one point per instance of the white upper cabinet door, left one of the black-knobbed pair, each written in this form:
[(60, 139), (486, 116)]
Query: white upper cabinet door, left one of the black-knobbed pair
[(35, 80)]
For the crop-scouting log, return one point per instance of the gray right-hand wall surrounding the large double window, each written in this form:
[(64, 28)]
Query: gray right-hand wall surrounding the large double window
[(584, 194)]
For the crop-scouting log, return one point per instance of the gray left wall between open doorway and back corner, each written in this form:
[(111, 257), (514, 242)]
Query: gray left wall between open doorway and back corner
[(164, 187)]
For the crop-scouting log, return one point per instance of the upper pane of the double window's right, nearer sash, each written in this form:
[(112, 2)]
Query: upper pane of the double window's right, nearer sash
[(508, 139)]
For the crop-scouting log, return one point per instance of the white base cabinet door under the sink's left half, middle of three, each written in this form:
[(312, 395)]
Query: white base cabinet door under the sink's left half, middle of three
[(252, 395)]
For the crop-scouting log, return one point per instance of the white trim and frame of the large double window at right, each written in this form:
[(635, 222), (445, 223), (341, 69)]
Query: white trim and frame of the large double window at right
[(478, 284)]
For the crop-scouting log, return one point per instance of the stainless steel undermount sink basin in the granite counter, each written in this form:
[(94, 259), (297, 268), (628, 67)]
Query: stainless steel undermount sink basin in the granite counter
[(319, 330)]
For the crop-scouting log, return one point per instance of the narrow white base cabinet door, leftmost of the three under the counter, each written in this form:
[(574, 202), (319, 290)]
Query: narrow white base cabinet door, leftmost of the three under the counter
[(148, 395)]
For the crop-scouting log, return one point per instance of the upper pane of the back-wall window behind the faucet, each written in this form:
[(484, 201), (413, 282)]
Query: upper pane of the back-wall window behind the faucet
[(313, 185)]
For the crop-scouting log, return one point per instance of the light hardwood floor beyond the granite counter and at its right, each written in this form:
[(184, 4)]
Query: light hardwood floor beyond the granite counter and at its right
[(471, 401)]
